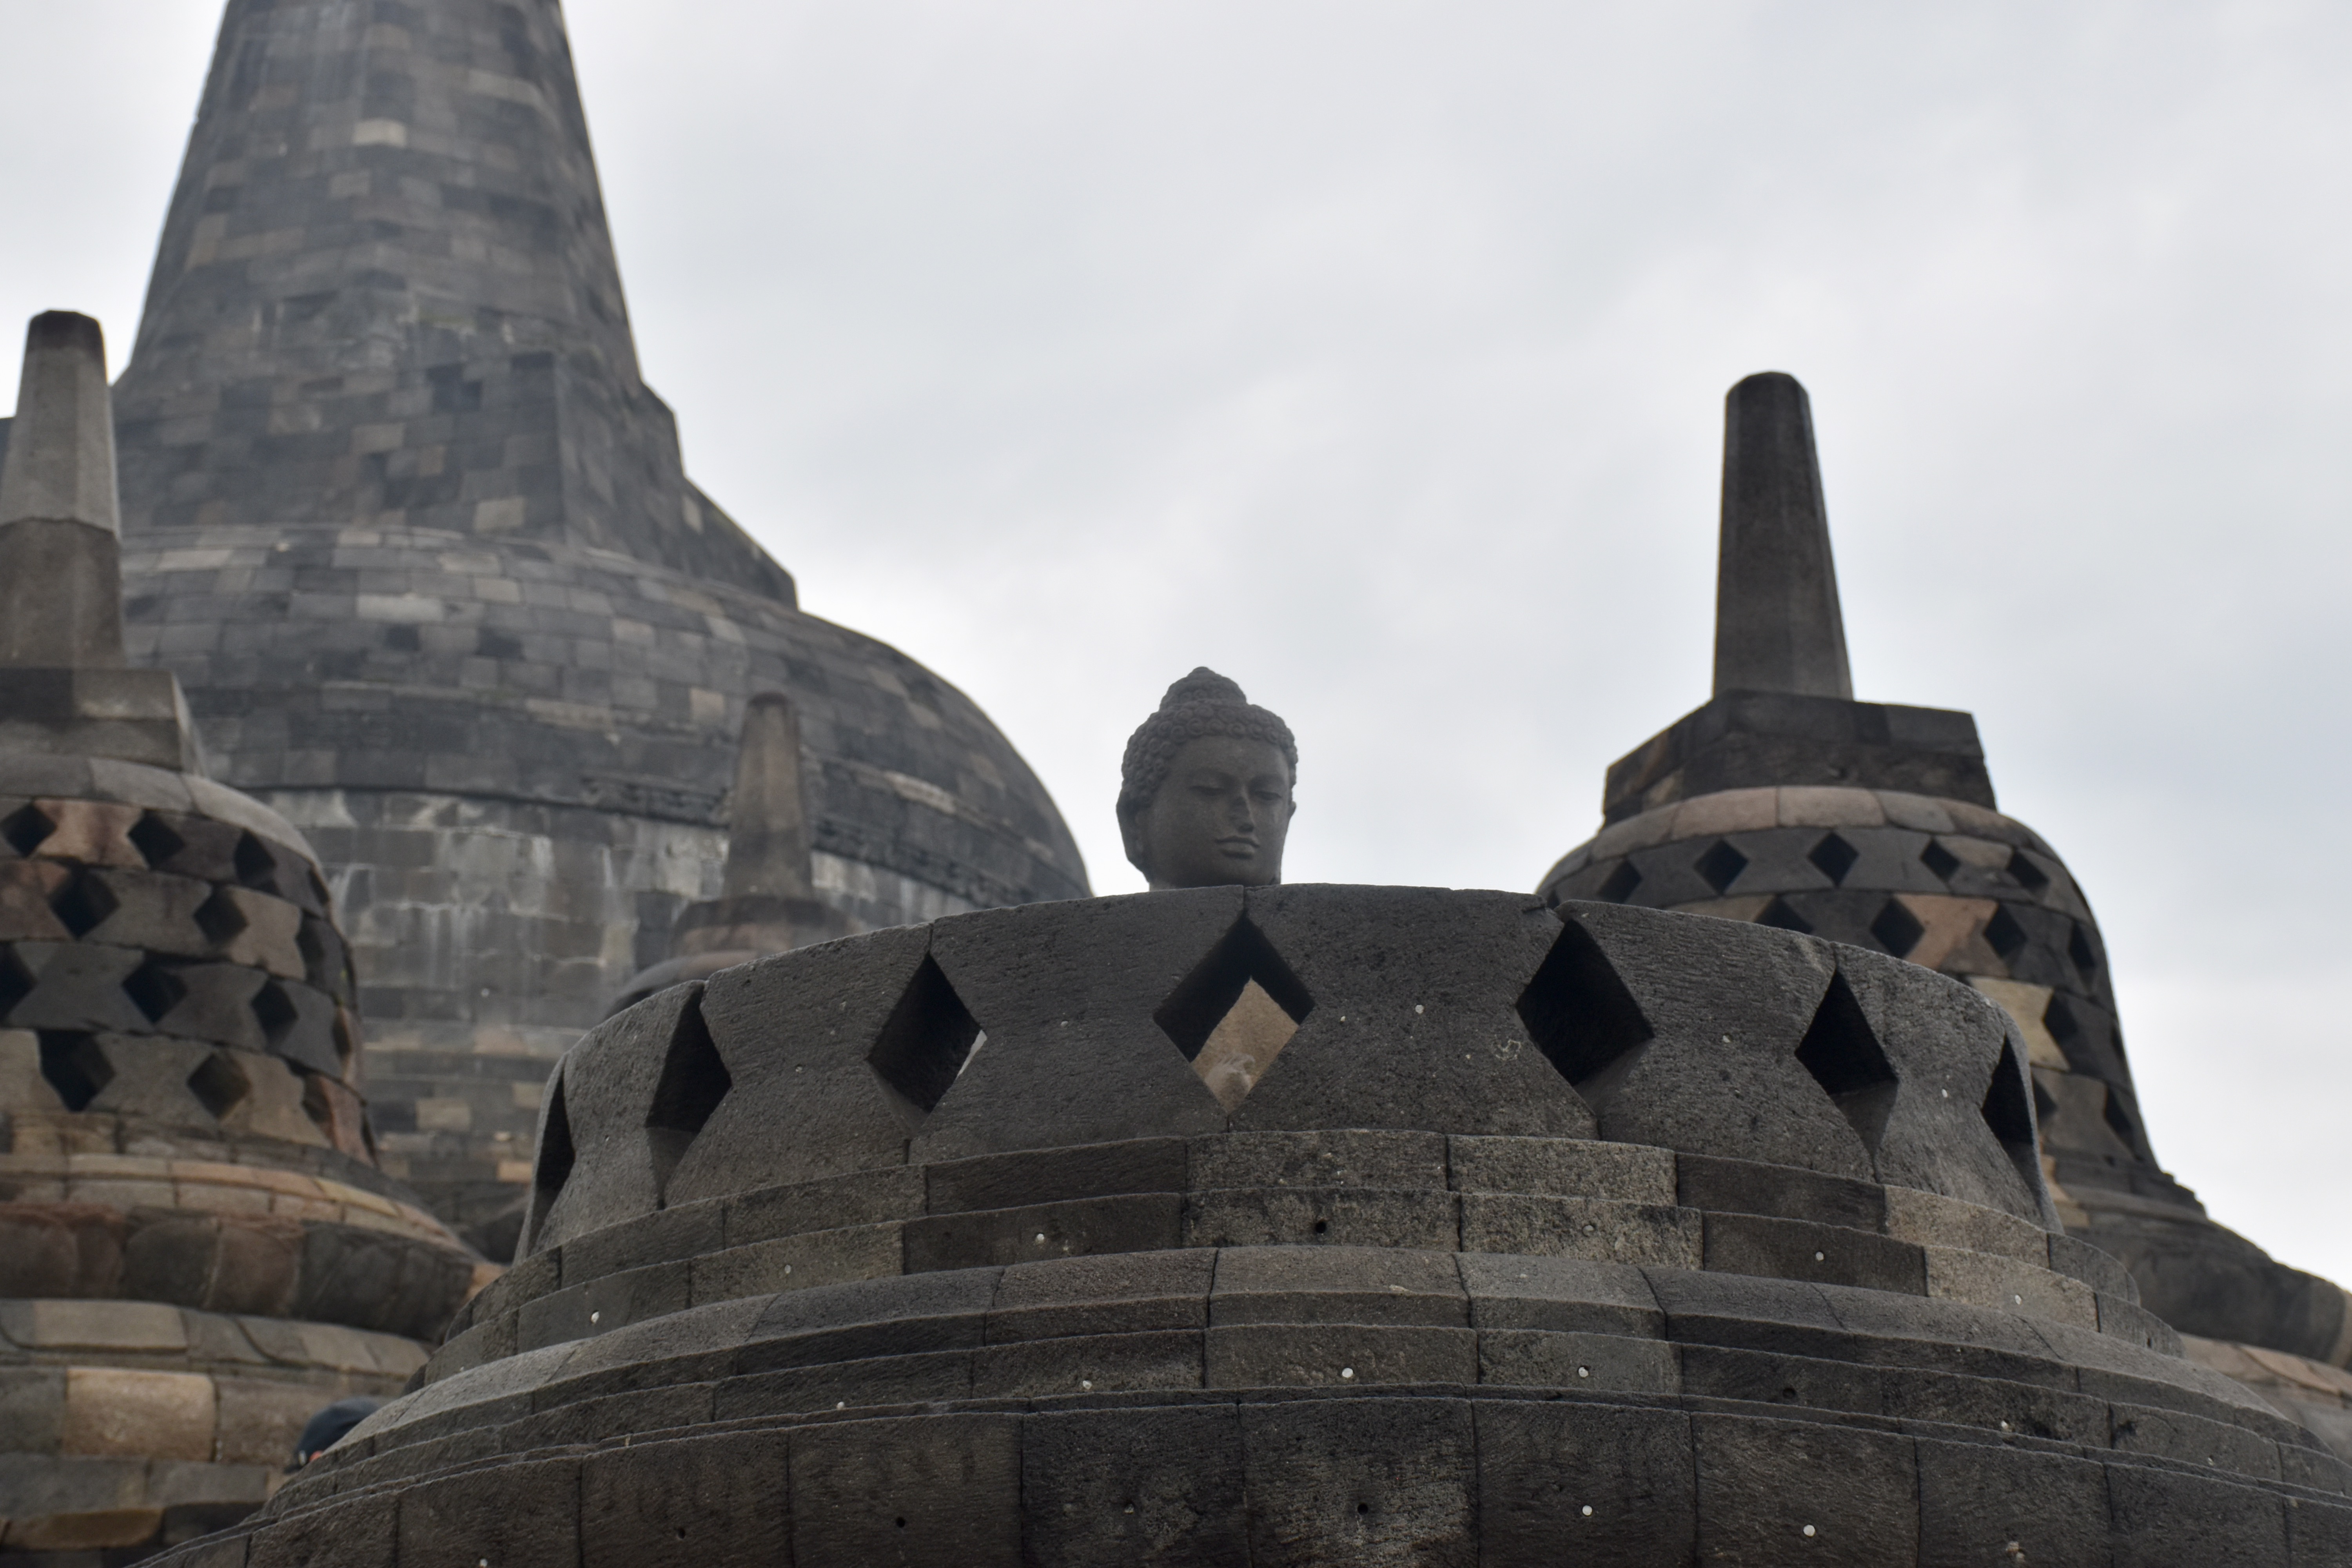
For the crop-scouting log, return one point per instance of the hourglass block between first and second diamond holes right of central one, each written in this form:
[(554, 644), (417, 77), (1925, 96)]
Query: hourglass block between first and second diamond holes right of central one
[(1720, 1071)]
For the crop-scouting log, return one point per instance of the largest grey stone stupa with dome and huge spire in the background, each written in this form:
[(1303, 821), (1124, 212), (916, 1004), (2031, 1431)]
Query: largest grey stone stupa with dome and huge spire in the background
[(417, 542)]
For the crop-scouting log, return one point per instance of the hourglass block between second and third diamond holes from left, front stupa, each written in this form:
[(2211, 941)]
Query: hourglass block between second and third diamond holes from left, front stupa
[(796, 1033)]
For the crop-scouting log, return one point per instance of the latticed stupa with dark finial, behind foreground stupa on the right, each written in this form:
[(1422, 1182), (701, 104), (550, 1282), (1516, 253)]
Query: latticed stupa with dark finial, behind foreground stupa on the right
[(1786, 803)]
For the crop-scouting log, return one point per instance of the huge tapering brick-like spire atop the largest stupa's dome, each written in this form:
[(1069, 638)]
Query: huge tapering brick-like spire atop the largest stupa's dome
[(387, 297)]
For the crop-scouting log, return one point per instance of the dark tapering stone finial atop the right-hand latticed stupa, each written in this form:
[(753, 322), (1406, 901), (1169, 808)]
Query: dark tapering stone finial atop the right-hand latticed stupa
[(1777, 622)]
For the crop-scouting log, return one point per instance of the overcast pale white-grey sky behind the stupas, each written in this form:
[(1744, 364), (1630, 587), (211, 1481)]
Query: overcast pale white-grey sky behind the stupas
[(1375, 356)]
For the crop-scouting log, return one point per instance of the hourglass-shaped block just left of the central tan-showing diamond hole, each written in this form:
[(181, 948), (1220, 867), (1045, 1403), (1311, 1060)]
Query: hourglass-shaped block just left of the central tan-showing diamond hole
[(1067, 996)]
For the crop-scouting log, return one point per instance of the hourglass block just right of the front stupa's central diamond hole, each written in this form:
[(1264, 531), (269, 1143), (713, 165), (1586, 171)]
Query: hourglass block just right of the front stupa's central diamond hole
[(1415, 1021)]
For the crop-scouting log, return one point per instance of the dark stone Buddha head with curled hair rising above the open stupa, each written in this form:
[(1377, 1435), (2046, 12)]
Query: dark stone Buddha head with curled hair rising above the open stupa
[(1205, 789)]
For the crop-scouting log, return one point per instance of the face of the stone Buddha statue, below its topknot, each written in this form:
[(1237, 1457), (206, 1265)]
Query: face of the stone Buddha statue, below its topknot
[(1220, 817)]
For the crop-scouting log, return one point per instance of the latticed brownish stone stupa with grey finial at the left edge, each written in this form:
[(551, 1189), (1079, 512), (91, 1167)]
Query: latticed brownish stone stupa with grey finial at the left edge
[(196, 1245)]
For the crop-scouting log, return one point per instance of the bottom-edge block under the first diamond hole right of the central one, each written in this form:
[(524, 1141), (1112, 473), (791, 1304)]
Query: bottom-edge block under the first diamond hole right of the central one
[(1584, 1482)]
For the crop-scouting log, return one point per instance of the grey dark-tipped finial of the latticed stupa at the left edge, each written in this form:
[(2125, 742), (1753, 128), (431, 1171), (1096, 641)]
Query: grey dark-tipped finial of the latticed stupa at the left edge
[(60, 551)]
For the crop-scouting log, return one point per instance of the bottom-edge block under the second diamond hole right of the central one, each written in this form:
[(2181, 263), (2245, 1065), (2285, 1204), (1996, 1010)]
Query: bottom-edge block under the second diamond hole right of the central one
[(1782, 1492)]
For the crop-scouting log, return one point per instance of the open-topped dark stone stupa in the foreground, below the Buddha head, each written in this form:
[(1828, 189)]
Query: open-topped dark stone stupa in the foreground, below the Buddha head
[(1591, 1235)]
